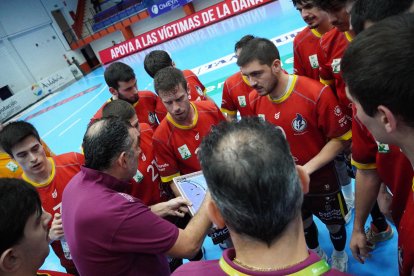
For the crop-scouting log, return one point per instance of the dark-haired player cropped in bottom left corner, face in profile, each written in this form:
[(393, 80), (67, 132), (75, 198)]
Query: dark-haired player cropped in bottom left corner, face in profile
[(24, 245)]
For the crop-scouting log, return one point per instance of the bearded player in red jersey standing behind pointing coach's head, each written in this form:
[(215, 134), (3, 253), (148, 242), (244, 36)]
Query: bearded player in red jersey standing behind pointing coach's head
[(122, 84)]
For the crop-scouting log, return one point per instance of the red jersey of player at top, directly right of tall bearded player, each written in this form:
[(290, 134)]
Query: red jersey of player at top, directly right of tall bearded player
[(305, 49)]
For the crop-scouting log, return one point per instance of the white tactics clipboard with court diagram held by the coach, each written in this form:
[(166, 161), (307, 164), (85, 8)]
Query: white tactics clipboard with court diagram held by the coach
[(192, 187)]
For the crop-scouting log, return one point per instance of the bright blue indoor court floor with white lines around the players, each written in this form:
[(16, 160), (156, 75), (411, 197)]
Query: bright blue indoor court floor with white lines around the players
[(62, 118)]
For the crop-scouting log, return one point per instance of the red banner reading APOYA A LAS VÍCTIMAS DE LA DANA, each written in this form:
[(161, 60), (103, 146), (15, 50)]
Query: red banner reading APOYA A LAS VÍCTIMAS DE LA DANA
[(180, 27)]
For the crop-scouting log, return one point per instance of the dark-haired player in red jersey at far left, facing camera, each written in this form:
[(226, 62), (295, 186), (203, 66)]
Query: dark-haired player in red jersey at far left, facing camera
[(49, 175)]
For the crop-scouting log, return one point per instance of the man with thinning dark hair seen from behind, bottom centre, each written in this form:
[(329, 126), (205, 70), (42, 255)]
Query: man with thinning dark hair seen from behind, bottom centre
[(257, 192)]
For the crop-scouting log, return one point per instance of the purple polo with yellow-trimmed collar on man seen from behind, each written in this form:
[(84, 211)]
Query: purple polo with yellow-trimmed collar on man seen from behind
[(225, 266)]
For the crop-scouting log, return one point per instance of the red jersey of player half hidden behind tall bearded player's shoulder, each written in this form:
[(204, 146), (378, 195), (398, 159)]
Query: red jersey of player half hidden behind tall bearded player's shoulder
[(236, 96)]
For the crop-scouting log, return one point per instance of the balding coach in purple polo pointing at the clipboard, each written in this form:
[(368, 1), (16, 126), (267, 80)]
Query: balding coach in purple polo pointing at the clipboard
[(110, 232)]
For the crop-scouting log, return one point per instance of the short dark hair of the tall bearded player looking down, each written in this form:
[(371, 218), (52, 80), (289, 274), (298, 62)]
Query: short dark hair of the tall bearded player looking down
[(260, 49)]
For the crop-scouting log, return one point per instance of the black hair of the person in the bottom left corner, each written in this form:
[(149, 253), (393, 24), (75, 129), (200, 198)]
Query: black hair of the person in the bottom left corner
[(18, 202)]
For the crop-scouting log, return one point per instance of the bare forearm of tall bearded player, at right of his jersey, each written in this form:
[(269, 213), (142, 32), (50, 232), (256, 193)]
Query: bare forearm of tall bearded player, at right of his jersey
[(328, 153)]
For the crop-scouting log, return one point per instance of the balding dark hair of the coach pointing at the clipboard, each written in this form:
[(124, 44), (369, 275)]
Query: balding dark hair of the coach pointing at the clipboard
[(104, 140)]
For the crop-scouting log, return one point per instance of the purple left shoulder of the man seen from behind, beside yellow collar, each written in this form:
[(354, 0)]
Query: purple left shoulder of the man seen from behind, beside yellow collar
[(200, 268)]
